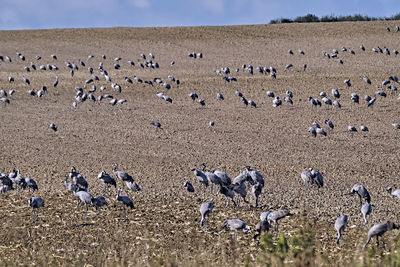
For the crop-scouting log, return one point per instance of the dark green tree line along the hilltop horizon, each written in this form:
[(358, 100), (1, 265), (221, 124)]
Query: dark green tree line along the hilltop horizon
[(332, 18)]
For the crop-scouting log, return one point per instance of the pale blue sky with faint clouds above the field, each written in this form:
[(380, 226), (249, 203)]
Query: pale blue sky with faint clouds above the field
[(44, 14)]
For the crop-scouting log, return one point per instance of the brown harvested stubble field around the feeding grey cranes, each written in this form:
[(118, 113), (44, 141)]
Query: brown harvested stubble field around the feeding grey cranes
[(165, 223)]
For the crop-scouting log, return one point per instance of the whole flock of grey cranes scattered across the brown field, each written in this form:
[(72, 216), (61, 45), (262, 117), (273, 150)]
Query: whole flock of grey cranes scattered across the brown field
[(233, 190)]
